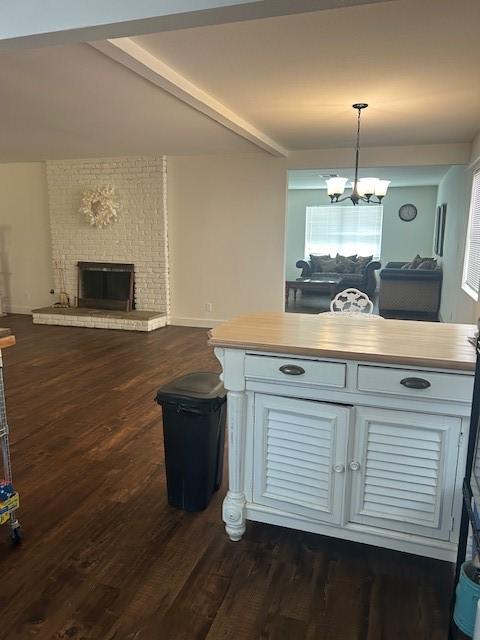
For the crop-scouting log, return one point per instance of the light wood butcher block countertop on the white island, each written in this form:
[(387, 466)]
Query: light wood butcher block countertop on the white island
[(405, 342)]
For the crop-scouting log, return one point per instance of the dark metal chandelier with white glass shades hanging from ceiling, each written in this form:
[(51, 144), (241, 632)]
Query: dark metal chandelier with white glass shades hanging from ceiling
[(371, 190)]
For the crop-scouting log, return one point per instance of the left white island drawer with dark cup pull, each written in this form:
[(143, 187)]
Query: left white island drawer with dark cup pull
[(296, 371)]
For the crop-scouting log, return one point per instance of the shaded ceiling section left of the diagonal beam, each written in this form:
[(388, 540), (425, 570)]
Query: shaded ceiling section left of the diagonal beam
[(72, 102)]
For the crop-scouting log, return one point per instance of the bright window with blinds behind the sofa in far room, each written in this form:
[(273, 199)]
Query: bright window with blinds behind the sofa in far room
[(347, 230)]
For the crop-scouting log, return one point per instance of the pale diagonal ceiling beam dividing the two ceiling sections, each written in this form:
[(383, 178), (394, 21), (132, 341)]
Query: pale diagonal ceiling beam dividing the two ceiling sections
[(137, 59)]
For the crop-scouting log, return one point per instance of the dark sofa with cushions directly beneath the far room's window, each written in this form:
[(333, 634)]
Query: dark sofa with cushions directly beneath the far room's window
[(355, 271)]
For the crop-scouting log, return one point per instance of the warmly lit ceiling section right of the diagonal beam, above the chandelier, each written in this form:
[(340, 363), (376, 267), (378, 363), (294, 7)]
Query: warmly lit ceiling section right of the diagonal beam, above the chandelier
[(417, 63)]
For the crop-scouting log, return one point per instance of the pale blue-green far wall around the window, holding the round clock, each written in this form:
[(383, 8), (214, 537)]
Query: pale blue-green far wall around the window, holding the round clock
[(400, 240)]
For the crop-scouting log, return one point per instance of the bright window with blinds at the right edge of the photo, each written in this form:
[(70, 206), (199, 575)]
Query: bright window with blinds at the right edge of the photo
[(471, 264)]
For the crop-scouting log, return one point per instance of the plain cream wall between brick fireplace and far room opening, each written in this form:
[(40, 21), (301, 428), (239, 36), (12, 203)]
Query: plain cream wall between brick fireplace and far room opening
[(226, 236)]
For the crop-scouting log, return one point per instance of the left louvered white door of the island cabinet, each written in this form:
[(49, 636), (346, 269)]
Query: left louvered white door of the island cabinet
[(300, 455)]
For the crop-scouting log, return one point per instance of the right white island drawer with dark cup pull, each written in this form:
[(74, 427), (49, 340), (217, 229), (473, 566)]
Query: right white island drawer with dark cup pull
[(416, 384)]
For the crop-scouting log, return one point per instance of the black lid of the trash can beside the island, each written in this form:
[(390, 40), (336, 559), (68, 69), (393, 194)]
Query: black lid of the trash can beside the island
[(198, 388)]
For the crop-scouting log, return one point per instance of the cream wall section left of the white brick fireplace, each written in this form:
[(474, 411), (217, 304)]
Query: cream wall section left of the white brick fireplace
[(25, 254)]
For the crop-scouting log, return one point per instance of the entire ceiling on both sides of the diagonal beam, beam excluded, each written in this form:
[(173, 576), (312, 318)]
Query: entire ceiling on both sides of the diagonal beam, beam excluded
[(292, 78)]
